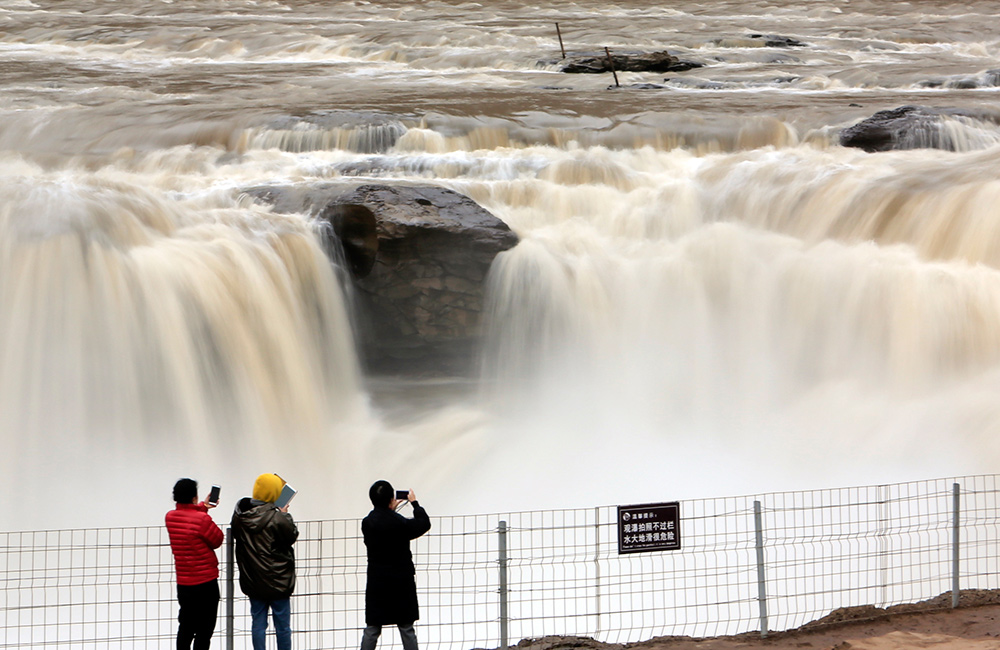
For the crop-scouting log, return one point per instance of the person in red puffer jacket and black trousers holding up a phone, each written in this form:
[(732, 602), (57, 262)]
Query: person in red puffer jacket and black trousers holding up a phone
[(193, 540)]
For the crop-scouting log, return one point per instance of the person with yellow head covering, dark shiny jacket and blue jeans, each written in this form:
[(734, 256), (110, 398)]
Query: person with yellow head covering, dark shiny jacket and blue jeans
[(264, 537)]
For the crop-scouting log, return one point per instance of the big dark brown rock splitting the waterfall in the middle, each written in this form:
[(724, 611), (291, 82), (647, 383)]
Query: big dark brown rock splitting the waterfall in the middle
[(418, 256)]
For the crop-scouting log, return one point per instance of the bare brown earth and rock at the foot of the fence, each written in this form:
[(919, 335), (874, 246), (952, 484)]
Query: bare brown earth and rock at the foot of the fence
[(974, 625)]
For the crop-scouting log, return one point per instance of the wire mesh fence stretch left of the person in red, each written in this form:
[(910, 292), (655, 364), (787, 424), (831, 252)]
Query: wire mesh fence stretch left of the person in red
[(86, 588)]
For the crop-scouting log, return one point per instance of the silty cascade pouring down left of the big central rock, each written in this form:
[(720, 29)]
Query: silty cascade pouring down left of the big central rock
[(142, 335)]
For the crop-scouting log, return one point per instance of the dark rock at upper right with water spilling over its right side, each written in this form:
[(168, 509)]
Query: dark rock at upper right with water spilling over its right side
[(909, 127)]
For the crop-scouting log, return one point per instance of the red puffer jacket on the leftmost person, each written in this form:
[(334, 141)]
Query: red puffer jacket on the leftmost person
[(193, 539)]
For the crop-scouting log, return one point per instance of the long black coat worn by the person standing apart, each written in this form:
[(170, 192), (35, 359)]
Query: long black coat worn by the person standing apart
[(391, 592)]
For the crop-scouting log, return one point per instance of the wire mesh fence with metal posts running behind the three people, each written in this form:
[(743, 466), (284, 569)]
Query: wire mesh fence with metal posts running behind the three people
[(765, 563)]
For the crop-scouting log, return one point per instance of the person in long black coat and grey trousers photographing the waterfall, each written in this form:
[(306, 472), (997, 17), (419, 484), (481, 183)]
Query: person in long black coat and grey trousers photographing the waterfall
[(391, 592)]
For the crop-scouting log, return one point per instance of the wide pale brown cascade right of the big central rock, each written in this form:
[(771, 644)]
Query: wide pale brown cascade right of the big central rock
[(668, 314)]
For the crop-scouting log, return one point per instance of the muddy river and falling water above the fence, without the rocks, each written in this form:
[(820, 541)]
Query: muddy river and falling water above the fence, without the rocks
[(710, 295)]
